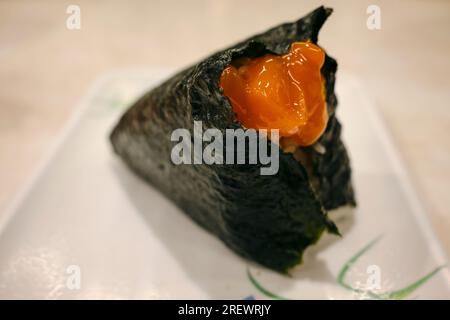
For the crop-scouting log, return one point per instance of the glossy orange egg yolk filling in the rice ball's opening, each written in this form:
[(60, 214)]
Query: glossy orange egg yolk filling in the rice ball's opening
[(280, 92)]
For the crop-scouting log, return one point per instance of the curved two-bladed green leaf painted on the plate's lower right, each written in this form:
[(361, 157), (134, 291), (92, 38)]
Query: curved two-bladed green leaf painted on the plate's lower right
[(397, 294)]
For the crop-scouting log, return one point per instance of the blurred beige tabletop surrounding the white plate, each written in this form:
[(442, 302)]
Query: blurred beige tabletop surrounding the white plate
[(45, 68)]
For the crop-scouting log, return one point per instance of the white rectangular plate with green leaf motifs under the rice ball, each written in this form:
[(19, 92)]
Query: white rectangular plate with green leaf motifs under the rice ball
[(86, 227)]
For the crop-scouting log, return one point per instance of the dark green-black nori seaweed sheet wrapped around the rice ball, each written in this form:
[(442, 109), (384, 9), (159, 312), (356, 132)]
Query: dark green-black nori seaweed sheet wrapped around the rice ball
[(270, 219)]
